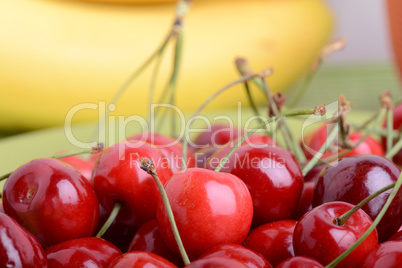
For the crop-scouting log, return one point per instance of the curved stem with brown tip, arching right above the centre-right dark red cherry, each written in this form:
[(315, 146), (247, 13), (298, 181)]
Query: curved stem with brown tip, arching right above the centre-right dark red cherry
[(318, 110)]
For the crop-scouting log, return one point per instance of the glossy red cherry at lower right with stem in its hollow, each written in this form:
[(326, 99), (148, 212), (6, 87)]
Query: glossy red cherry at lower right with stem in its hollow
[(318, 237)]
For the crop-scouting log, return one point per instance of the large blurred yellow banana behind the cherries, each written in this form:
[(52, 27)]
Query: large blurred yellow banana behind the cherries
[(65, 58)]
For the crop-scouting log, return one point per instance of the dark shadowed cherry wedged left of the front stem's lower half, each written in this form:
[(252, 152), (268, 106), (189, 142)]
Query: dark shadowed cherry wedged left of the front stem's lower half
[(148, 238)]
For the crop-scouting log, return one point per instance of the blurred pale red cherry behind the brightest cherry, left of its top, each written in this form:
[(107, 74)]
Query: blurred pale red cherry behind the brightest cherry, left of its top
[(171, 148)]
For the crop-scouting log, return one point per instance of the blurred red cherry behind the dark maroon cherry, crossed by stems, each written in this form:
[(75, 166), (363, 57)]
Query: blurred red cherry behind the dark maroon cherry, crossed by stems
[(312, 143)]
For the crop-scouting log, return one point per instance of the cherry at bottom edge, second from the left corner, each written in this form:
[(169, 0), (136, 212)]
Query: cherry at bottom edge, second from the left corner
[(82, 252)]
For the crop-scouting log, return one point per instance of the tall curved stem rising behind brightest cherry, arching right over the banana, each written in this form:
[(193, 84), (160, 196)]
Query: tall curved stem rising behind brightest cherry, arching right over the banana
[(191, 120)]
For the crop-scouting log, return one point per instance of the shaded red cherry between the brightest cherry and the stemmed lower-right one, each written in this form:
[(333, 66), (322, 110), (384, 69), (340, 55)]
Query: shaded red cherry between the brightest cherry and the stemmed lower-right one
[(273, 240)]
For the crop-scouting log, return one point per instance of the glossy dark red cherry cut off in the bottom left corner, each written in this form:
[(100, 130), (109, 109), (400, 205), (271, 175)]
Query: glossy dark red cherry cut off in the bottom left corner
[(19, 248)]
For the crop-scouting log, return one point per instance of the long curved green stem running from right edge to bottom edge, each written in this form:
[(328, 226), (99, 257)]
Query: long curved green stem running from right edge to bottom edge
[(372, 226)]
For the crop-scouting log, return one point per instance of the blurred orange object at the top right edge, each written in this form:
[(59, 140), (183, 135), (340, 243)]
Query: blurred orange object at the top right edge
[(395, 23)]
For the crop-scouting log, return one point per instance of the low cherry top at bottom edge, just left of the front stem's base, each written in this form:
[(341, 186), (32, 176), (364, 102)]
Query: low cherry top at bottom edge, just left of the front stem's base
[(140, 259)]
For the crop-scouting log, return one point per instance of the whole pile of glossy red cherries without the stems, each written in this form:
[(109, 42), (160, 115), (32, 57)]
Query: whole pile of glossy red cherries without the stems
[(257, 211)]
